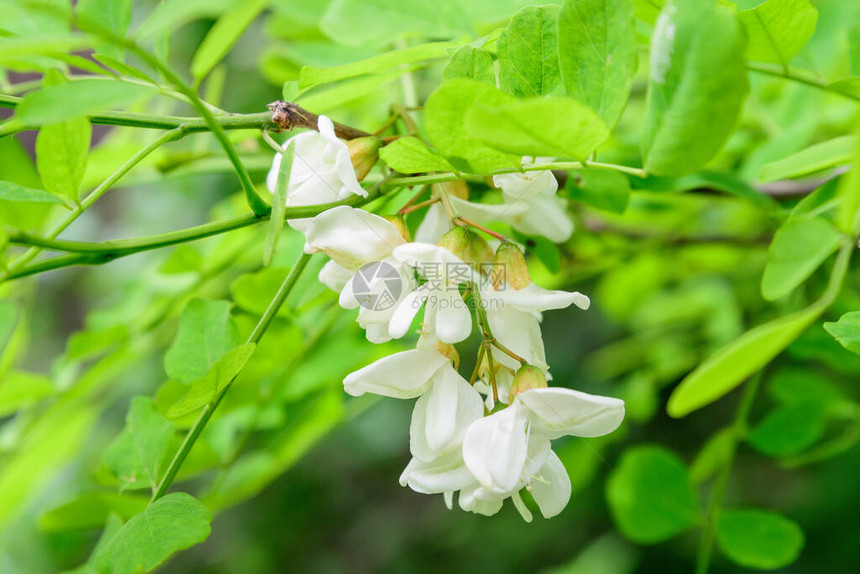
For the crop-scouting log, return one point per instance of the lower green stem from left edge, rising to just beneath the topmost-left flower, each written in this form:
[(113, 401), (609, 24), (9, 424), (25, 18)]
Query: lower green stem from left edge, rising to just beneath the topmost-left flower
[(85, 253)]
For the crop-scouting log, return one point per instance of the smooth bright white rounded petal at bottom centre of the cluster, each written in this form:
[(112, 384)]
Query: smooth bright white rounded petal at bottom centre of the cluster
[(494, 449)]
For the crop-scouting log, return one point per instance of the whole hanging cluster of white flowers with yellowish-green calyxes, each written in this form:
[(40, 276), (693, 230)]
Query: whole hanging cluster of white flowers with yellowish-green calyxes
[(489, 437)]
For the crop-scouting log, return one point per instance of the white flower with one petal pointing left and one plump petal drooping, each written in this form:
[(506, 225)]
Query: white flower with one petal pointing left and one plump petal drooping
[(447, 403)]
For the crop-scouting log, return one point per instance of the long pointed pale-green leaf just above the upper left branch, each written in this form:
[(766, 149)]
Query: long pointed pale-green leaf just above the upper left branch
[(75, 99)]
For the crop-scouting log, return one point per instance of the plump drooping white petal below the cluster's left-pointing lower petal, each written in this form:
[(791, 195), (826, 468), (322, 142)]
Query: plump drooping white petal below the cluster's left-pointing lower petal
[(442, 415)]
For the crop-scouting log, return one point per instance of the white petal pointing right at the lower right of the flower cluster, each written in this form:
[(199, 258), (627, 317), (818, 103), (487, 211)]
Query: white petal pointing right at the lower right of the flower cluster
[(557, 412)]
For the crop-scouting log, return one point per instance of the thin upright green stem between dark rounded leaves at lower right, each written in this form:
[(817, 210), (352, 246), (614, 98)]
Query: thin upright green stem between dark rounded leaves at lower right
[(739, 429)]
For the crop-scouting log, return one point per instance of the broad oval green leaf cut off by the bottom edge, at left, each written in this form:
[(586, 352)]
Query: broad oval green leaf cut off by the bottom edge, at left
[(175, 522)]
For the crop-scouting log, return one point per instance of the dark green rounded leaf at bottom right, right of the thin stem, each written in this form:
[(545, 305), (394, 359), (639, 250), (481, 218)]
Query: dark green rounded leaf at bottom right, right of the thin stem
[(759, 538)]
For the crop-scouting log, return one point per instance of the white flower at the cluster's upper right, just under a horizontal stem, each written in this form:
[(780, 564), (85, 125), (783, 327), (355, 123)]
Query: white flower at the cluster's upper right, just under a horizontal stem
[(544, 215)]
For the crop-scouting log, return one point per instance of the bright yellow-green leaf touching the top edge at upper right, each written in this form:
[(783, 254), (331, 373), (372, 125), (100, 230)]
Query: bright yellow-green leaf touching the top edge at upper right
[(778, 29)]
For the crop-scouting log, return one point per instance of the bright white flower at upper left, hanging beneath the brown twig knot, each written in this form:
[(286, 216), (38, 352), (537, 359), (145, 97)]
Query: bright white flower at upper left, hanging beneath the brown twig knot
[(322, 171)]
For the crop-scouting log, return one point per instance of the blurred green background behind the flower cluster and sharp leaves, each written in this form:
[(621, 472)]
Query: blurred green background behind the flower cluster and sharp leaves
[(671, 279)]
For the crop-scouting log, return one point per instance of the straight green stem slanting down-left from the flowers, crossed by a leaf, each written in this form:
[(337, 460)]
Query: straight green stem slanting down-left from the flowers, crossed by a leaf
[(209, 409)]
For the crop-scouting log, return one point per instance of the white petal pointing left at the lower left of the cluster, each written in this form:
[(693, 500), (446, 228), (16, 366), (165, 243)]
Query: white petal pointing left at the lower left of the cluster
[(403, 375)]
